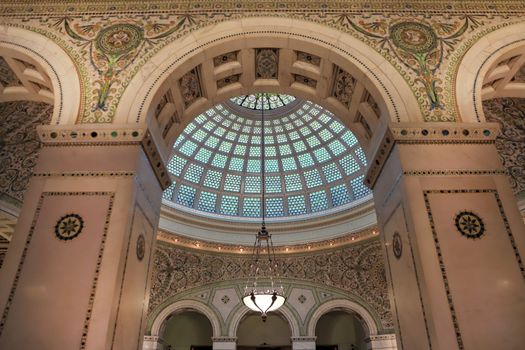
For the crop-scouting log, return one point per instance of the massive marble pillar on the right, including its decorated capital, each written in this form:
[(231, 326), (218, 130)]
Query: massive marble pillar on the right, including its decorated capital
[(453, 235)]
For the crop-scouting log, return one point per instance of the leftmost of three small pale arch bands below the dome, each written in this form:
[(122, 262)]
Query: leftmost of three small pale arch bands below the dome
[(160, 320)]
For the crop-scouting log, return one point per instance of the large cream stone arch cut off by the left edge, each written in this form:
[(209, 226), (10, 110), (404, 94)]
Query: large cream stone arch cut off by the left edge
[(56, 83)]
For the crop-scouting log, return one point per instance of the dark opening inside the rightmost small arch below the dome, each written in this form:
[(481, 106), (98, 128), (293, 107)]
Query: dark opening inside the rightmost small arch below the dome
[(342, 329)]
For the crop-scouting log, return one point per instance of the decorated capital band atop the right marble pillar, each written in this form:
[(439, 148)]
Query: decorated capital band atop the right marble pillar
[(426, 134)]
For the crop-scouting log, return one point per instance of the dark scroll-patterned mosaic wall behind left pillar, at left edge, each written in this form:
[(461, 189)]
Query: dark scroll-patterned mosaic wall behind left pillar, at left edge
[(19, 144)]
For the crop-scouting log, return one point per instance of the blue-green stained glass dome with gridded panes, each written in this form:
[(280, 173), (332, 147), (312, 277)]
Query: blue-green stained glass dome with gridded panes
[(313, 162)]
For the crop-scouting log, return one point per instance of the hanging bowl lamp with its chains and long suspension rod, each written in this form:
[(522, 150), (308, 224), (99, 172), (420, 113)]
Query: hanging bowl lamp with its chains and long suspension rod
[(263, 299)]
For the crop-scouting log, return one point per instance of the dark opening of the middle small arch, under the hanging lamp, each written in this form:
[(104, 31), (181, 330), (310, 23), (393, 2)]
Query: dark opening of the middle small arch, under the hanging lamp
[(253, 334)]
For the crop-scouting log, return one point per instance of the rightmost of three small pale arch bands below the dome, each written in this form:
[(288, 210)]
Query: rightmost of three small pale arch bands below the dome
[(369, 322)]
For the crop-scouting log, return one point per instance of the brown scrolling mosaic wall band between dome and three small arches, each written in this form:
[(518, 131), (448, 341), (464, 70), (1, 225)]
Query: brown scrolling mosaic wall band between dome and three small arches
[(358, 270)]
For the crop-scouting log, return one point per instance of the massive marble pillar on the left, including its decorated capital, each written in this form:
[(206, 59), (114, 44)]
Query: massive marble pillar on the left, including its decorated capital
[(76, 273)]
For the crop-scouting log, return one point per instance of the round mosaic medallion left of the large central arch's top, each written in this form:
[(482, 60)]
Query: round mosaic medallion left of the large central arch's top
[(119, 38)]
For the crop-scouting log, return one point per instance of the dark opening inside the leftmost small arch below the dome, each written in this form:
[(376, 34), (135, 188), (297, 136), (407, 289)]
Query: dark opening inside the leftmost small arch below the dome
[(186, 329)]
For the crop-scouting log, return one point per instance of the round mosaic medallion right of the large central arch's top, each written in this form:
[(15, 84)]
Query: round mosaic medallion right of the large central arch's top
[(413, 37)]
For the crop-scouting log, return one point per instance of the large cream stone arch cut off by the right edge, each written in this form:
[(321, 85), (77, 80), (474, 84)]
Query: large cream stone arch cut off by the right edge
[(487, 67)]
